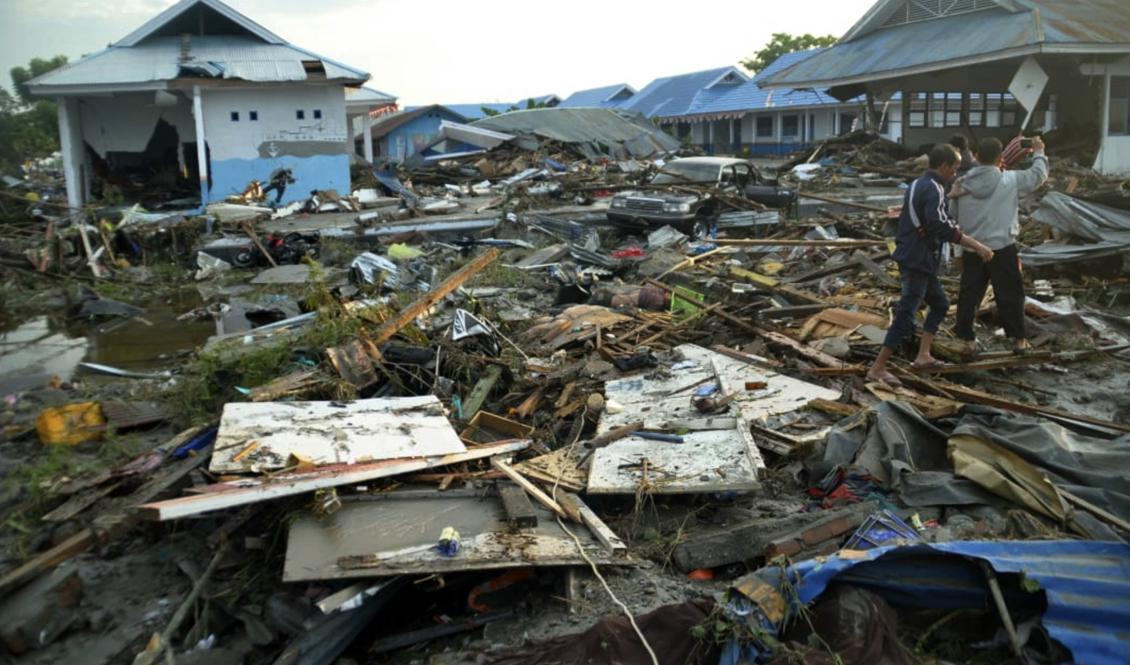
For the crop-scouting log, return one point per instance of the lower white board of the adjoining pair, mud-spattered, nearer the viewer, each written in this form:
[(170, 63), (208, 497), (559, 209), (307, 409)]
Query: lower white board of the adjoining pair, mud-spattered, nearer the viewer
[(706, 462)]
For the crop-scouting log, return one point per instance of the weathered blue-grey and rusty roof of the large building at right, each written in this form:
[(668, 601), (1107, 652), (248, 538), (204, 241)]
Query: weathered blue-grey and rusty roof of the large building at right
[(1010, 29)]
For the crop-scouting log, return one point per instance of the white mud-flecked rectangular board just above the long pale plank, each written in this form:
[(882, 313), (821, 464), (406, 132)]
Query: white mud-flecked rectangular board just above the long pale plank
[(256, 437)]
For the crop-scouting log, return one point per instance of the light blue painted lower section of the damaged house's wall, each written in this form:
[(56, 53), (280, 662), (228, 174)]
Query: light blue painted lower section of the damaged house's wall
[(317, 172)]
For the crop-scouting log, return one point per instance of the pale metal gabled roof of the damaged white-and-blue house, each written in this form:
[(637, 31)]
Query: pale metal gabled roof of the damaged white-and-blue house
[(236, 49)]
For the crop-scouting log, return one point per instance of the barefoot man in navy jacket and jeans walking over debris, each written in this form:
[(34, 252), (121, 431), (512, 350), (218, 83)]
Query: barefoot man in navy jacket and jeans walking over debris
[(925, 227)]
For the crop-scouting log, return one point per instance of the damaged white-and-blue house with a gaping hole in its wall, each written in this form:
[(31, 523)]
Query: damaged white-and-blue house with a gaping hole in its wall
[(197, 105)]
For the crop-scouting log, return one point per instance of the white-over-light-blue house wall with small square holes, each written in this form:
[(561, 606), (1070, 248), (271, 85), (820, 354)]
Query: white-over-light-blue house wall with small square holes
[(315, 148)]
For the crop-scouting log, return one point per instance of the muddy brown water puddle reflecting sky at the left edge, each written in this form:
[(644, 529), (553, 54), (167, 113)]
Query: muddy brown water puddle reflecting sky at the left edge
[(53, 346)]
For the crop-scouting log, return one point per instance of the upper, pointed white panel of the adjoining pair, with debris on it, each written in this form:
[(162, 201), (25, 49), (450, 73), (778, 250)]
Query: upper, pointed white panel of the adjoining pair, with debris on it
[(649, 396)]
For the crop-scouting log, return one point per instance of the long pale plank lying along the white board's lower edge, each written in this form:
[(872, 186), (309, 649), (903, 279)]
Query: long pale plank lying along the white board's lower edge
[(245, 491)]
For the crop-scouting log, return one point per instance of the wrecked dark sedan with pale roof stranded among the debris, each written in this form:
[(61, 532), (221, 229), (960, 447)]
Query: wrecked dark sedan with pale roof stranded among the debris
[(681, 195)]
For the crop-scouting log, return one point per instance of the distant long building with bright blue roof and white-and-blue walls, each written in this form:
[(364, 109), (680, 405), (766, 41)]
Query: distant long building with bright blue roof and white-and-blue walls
[(724, 111)]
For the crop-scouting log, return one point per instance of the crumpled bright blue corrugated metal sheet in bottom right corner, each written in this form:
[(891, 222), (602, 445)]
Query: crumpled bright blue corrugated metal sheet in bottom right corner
[(1088, 585)]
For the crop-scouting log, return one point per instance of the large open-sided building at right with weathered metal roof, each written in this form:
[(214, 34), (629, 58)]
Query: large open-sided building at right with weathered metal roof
[(988, 68)]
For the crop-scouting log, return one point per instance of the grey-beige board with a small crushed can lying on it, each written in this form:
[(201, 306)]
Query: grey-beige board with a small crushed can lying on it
[(396, 538)]
